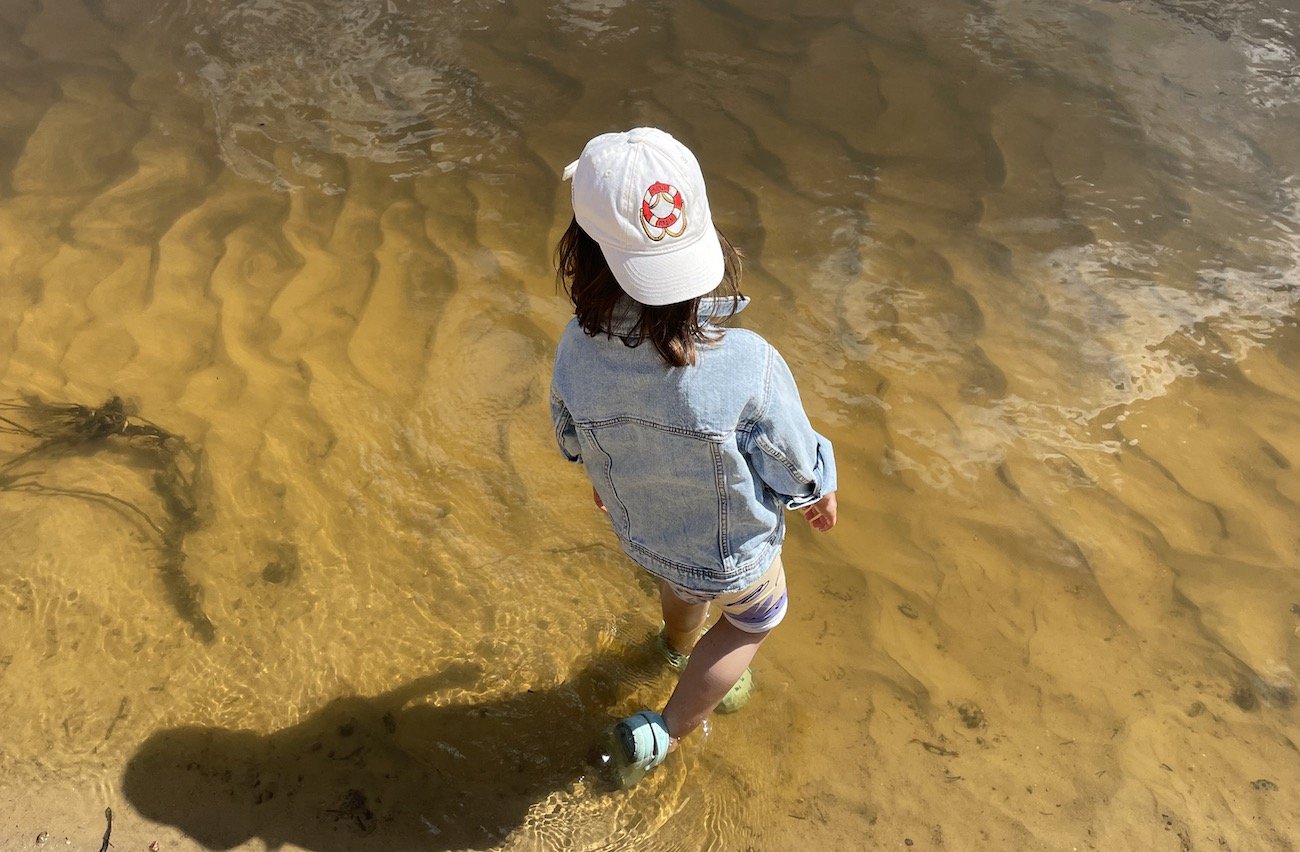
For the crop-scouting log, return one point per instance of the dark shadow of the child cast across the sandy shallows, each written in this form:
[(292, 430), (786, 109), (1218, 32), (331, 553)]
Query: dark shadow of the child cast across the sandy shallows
[(374, 773)]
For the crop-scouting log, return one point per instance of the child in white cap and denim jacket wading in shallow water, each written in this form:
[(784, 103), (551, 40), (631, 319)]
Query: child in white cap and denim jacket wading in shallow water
[(694, 436)]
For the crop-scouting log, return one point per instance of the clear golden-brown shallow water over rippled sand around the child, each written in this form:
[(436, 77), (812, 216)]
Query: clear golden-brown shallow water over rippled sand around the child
[(1033, 263)]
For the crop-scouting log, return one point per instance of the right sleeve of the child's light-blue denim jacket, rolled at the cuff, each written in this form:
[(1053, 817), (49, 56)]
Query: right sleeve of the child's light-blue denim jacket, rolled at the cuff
[(791, 459)]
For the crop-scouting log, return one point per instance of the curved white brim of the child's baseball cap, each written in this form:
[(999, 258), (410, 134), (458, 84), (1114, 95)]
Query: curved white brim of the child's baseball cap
[(669, 278)]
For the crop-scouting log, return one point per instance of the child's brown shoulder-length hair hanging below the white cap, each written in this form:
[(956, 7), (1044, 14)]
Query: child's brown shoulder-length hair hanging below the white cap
[(674, 330)]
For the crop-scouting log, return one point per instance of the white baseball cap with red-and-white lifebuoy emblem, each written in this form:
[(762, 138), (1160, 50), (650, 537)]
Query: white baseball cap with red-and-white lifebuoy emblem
[(640, 196)]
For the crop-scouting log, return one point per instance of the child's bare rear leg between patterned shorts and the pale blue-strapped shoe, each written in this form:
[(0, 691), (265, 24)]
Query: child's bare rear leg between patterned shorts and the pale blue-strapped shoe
[(717, 663)]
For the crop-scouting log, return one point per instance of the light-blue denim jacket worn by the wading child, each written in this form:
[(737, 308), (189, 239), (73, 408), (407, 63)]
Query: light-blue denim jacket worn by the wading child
[(694, 464)]
